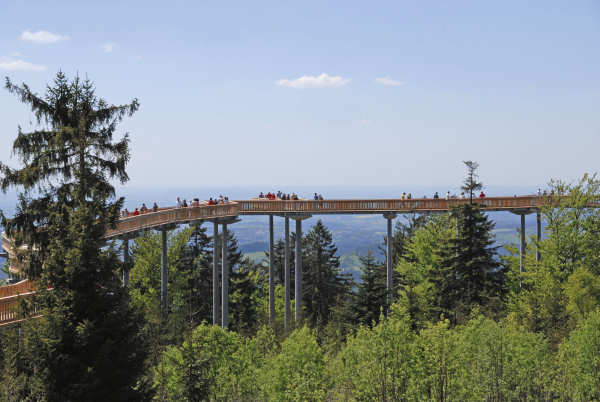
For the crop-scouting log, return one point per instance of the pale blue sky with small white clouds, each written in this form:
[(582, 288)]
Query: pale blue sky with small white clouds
[(394, 93)]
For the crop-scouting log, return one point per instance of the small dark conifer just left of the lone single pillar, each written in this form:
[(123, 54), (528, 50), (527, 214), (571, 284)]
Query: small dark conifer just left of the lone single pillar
[(371, 295)]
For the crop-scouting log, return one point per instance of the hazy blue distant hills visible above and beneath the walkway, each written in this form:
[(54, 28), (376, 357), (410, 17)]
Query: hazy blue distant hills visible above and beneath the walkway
[(353, 234)]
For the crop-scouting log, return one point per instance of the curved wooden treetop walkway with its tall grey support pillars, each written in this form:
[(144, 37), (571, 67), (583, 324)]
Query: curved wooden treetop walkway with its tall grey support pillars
[(223, 214)]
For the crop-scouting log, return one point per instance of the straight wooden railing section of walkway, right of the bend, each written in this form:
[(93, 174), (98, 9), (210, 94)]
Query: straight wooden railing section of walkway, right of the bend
[(257, 207)]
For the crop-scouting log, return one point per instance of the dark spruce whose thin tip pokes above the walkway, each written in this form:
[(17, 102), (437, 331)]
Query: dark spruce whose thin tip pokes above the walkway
[(469, 274)]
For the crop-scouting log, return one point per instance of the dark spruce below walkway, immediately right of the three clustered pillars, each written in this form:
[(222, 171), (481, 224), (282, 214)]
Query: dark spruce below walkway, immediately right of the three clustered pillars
[(323, 280)]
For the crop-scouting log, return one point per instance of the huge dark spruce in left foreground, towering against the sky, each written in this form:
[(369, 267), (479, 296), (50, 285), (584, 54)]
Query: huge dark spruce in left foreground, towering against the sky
[(86, 345)]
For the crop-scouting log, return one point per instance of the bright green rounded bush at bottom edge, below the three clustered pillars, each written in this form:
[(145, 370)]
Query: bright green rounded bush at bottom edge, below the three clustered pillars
[(298, 372)]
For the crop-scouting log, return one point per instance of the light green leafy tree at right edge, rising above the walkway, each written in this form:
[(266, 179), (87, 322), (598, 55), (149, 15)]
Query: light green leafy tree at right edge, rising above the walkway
[(562, 289)]
